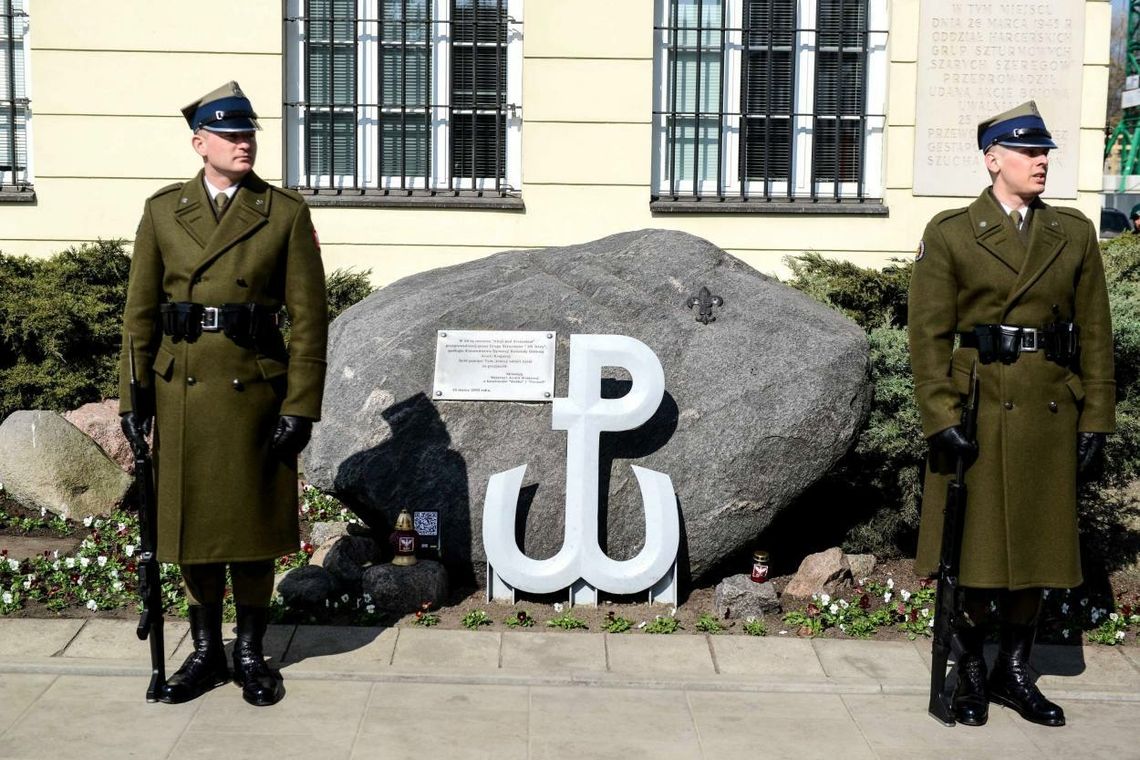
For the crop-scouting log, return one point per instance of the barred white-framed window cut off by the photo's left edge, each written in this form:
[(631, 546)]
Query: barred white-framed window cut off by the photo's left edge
[(18, 184)]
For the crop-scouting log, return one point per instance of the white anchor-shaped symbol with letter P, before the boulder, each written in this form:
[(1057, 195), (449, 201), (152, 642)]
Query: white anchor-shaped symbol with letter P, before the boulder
[(584, 414)]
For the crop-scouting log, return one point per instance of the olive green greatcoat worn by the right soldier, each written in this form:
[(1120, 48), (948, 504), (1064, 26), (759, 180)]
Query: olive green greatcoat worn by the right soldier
[(973, 268)]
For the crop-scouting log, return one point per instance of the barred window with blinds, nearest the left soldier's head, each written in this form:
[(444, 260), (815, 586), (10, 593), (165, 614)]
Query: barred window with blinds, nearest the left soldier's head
[(404, 99)]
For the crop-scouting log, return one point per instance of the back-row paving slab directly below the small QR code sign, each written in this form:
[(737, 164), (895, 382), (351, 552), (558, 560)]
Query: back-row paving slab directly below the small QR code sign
[(465, 652)]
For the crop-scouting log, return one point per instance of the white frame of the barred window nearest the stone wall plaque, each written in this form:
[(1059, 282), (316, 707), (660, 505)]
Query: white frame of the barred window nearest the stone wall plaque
[(728, 192)]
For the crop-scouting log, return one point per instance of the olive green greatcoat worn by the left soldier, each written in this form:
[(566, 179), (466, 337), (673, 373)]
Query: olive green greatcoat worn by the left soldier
[(224, 496)]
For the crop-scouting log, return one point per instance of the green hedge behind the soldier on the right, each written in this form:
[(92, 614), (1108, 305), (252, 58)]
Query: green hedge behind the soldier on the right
[(880, 483)]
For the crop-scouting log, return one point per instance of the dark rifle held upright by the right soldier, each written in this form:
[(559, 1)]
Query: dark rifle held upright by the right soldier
[(949, 603)]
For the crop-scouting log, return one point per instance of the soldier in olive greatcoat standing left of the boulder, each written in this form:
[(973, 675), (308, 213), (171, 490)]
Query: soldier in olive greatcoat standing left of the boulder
[(215, 261)]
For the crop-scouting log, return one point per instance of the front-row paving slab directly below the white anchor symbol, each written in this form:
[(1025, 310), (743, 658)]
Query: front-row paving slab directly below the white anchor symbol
[(583, 723)]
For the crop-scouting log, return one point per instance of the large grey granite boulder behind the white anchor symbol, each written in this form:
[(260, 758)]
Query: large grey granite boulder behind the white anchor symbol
[(759, 404)]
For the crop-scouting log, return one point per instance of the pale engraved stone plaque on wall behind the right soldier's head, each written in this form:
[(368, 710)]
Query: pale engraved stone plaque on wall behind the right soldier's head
[(980, 59)]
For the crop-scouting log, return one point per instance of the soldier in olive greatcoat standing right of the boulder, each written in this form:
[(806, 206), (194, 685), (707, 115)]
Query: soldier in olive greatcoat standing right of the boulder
[(1022, 288)]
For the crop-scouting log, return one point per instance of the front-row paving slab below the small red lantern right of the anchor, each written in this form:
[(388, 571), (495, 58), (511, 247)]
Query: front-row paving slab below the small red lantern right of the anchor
[(777, 726)]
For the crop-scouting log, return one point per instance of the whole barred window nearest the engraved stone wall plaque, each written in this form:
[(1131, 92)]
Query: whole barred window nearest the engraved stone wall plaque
[(767, 101)]
